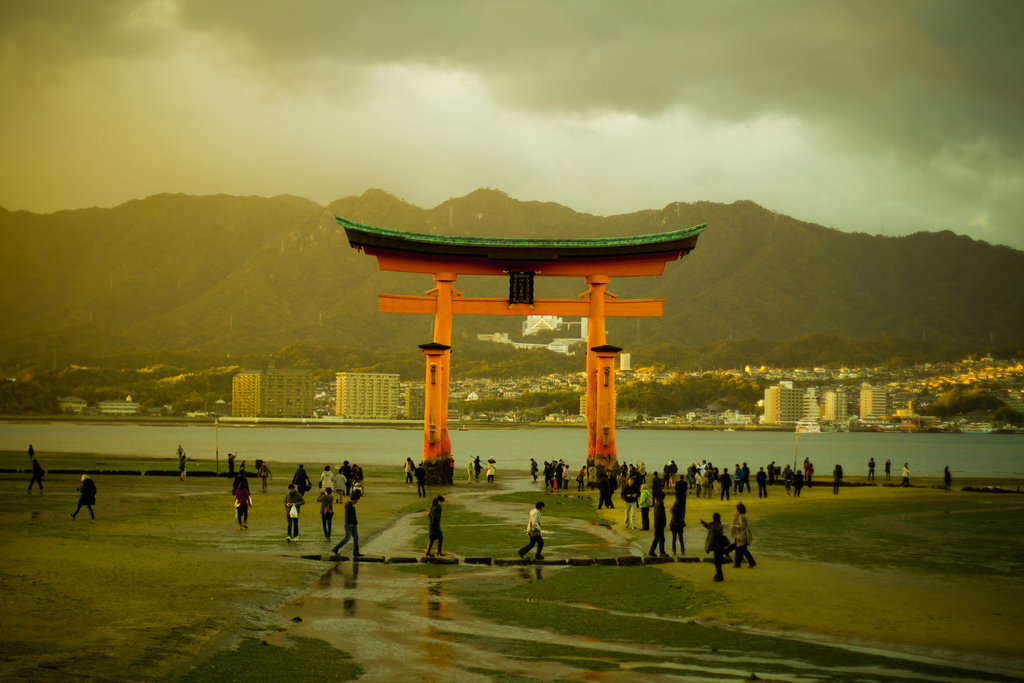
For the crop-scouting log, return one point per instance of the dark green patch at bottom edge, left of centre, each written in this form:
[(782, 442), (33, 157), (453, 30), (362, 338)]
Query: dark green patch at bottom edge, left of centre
[(257, 662)]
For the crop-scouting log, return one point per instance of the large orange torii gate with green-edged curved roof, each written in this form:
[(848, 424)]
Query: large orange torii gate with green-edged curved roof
[(596, 261)]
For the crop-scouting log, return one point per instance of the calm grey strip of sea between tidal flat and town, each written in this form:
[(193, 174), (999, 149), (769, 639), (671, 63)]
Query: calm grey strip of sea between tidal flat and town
[(967, 455)]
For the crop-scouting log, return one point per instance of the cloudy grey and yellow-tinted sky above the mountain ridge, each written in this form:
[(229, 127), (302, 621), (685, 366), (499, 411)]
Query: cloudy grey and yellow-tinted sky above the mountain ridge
[(880, 117)]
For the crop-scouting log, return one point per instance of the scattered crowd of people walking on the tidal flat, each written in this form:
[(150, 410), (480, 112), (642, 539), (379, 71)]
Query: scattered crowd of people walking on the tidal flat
[(638, 490)]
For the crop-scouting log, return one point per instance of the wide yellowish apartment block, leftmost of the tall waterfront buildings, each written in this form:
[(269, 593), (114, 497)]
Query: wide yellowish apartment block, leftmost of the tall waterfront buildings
[(273, 394)]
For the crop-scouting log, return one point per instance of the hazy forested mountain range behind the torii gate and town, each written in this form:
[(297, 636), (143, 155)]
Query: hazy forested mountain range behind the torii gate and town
[(225, 277)]
